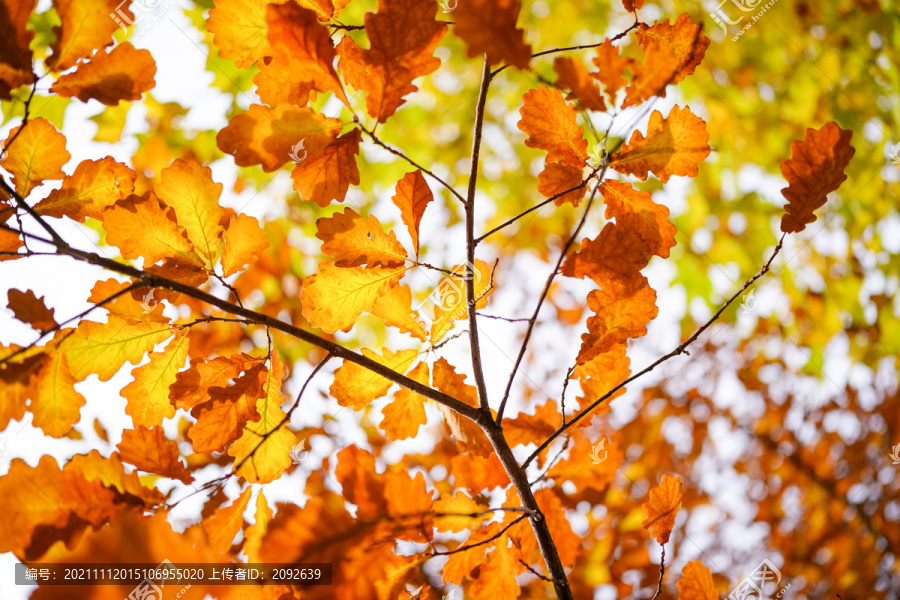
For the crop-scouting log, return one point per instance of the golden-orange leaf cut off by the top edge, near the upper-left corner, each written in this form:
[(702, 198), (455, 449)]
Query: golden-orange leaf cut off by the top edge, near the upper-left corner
[(85, 26)]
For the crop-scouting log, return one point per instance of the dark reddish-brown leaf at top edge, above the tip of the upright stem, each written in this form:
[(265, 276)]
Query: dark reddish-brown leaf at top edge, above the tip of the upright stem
[(488, 27)]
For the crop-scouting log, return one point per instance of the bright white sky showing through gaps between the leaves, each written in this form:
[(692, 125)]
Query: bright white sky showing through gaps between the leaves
[(181, 77)]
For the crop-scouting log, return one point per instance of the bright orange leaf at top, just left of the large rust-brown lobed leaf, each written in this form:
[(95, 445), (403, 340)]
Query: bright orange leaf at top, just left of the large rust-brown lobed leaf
[(303, 56)]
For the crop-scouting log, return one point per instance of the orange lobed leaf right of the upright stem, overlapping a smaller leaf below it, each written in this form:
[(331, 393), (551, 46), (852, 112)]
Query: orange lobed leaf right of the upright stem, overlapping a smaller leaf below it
[(552, 127)]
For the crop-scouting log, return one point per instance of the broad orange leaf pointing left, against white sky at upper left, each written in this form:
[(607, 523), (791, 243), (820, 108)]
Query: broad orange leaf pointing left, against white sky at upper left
[(122, 74)]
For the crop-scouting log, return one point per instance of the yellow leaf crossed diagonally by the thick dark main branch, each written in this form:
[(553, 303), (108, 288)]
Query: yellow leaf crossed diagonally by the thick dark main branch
[(356, 386)]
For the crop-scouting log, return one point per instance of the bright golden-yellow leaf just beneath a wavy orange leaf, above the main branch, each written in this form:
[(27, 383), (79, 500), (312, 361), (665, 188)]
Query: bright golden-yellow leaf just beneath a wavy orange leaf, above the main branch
[(334, 298)]
